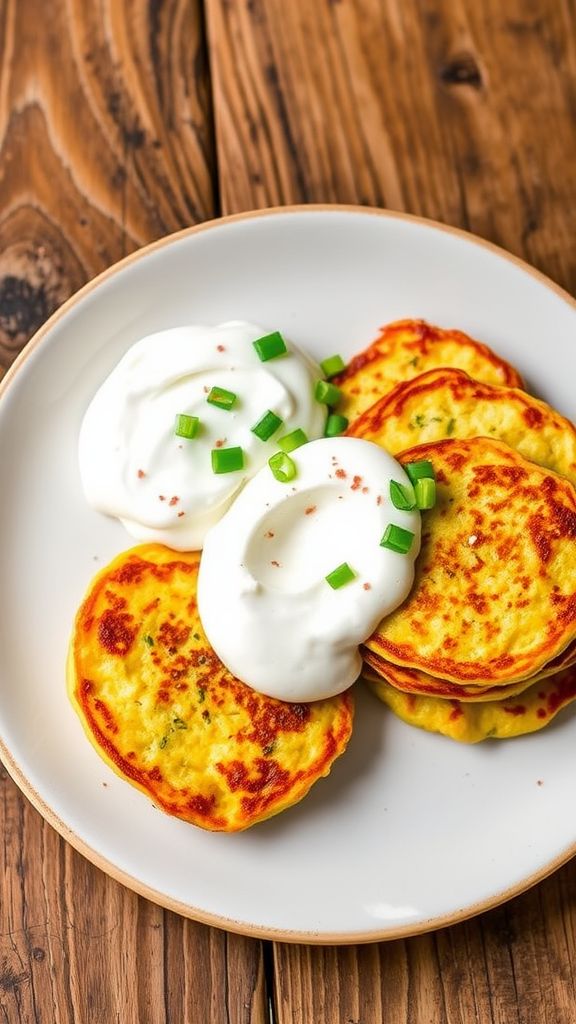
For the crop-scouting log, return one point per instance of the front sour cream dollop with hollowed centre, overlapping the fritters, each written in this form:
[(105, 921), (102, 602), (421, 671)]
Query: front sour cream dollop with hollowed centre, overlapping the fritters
[(263, 596)]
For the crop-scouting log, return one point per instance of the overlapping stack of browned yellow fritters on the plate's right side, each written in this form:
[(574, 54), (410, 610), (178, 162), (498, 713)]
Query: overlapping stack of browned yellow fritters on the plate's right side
[(485, 643)]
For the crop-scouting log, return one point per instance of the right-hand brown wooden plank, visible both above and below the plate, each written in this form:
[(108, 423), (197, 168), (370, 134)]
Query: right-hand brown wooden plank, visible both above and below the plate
[(462, 112)]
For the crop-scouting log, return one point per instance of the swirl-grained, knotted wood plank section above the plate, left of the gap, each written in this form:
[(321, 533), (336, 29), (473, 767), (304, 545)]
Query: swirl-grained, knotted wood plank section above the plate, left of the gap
[(106, 144)]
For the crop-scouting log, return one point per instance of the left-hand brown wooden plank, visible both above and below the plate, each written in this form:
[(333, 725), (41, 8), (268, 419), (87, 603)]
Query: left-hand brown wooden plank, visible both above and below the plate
[(106, 144)]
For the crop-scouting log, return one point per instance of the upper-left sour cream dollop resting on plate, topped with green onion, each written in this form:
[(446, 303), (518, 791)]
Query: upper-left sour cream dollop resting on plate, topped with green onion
[(162, 487)]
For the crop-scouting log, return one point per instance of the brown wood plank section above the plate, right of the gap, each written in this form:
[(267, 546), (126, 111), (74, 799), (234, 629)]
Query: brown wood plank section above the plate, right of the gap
[(457, 110)]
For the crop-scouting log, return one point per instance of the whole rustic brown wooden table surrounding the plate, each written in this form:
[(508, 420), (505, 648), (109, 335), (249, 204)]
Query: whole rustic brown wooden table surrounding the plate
[(125, 120)]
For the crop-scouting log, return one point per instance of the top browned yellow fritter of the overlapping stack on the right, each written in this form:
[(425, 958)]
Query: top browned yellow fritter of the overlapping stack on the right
[(528, 557)]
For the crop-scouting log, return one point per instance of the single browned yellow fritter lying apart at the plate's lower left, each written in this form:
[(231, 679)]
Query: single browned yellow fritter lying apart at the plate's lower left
[(238, 730)]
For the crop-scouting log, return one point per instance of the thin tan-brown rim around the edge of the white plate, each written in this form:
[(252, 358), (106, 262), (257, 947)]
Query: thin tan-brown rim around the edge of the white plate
[(64, 830)]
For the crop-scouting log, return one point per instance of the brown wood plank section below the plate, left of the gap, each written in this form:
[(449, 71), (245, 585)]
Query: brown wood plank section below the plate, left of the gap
[(76, 947)]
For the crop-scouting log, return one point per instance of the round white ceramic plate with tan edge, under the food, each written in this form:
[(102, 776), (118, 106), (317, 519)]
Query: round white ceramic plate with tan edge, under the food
[(412, 831)]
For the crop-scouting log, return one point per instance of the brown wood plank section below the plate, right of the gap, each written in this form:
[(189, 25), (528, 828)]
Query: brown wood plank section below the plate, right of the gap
[(515, 964)]
